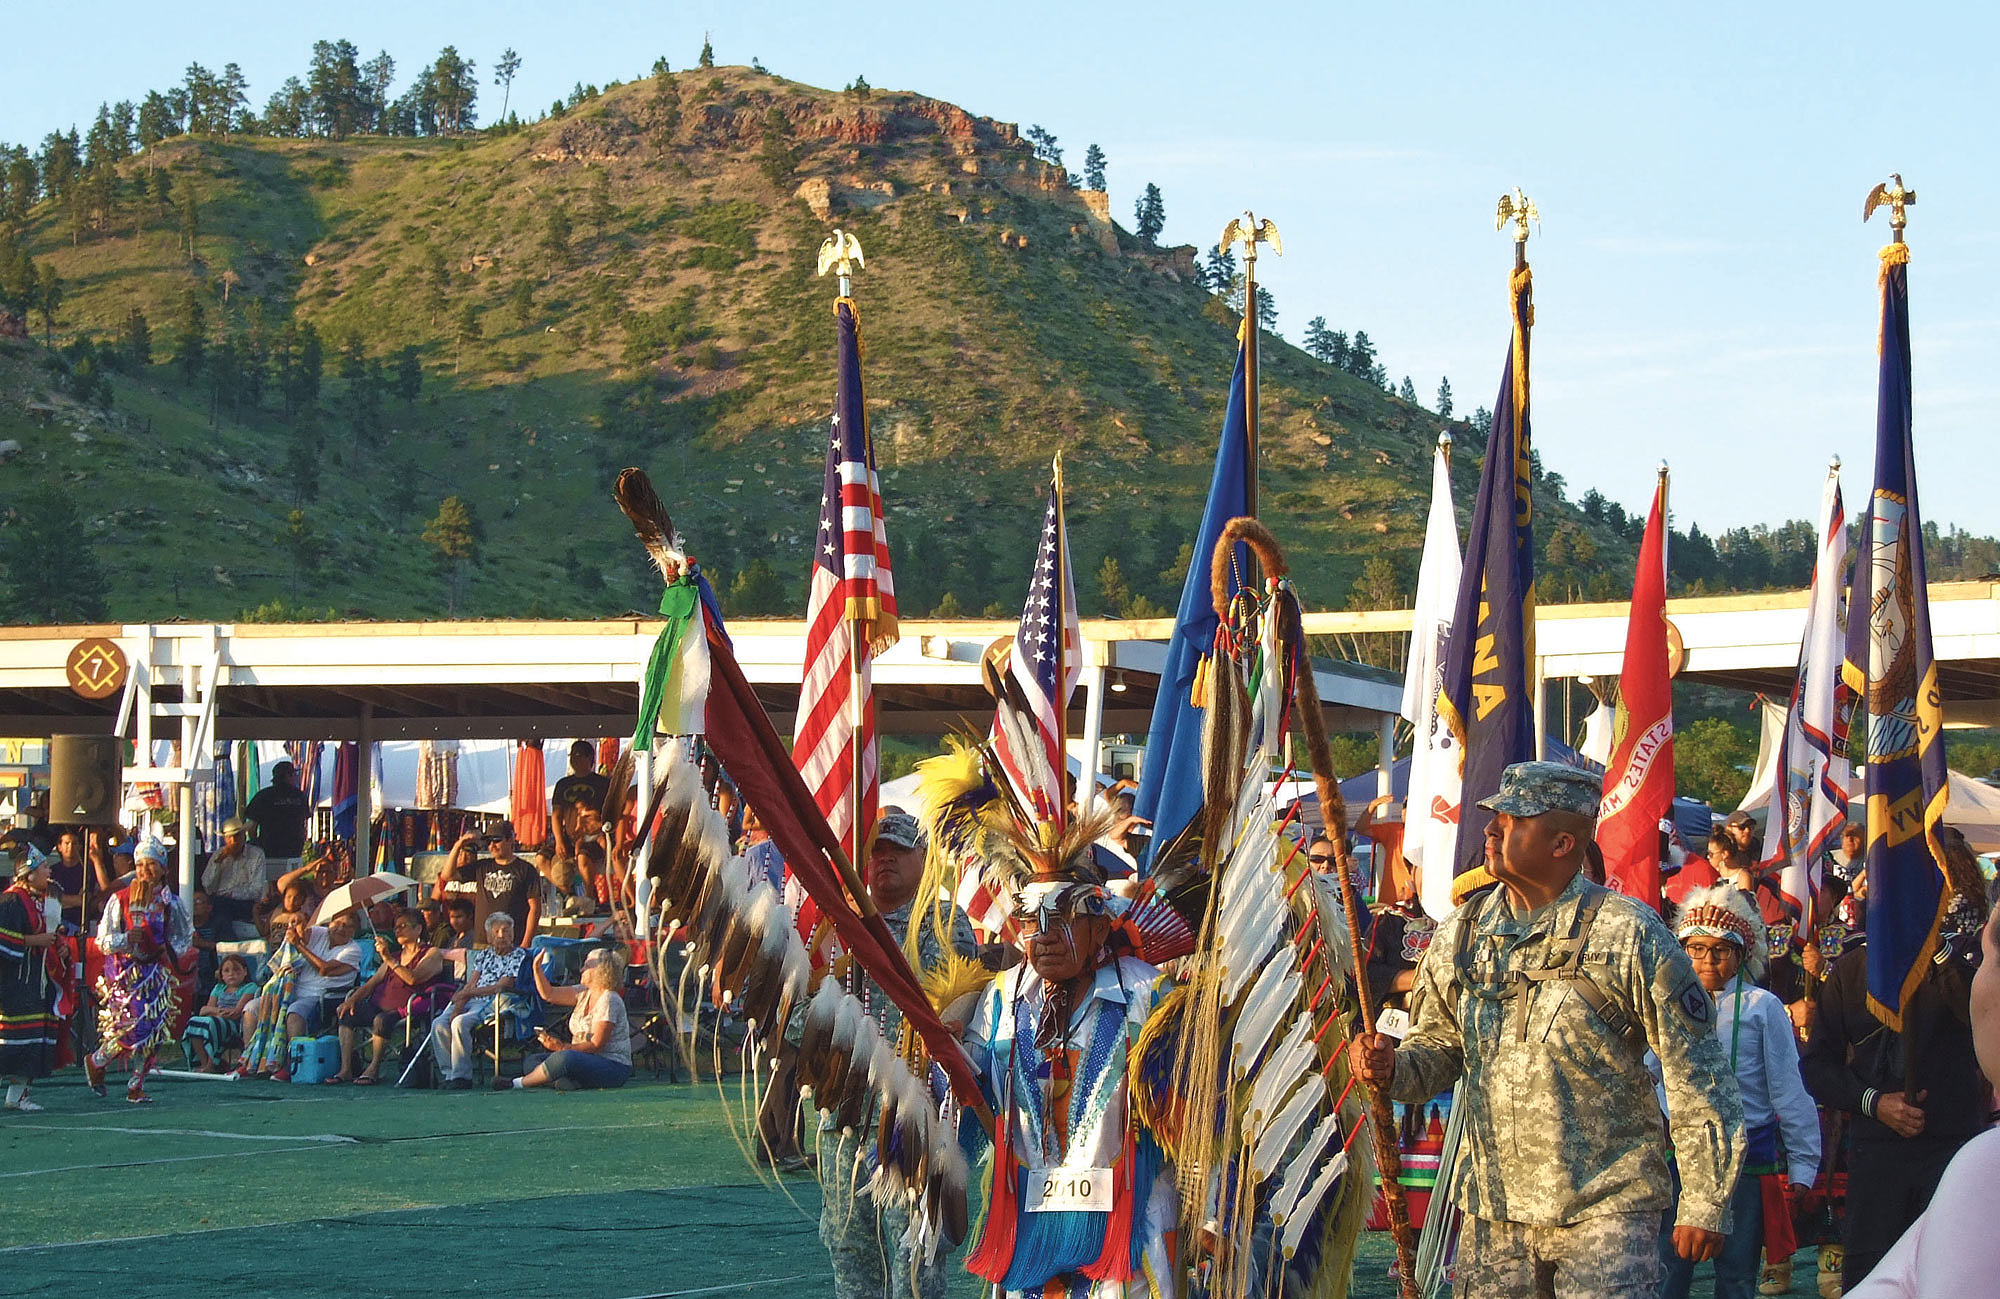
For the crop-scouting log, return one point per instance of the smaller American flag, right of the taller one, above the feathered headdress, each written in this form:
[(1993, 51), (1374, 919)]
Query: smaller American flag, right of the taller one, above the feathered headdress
[(1027, 724)]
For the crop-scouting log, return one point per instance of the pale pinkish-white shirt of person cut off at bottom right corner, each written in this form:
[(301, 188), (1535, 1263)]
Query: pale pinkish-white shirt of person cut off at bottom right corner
[(1953, 1248)]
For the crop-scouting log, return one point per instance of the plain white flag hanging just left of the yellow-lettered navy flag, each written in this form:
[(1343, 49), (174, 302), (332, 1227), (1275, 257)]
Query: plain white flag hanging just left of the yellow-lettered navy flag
[(1431, 812)]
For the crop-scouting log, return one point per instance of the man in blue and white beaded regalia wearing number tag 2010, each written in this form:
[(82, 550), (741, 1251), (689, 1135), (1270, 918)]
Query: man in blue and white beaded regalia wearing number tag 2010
[(1081, 1194)]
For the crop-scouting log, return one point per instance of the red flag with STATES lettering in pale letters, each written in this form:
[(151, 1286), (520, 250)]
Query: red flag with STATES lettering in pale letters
[(1639, 780)]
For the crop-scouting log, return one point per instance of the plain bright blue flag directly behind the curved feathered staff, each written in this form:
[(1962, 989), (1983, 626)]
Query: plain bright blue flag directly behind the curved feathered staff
[(1171, 780)]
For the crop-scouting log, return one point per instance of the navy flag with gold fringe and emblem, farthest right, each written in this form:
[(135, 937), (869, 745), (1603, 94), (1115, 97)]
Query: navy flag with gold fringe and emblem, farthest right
[(1899, 714)]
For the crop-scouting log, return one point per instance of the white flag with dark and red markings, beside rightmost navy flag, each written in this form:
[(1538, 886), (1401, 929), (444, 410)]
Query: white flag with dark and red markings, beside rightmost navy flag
[(1809, 798)]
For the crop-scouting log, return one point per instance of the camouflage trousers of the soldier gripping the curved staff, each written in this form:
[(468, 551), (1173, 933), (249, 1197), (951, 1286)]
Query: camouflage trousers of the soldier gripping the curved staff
[(1615, 1256)]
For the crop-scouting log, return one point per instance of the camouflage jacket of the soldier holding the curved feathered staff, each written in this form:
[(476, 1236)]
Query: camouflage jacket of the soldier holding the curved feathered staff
[(1563, 1116)]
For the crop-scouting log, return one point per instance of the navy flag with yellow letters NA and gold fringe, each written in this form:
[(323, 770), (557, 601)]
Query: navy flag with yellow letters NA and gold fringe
[(1487, 702)]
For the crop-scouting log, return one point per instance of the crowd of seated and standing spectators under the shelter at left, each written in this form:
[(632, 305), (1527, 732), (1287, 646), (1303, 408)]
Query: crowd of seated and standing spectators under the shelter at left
[(273, 952)]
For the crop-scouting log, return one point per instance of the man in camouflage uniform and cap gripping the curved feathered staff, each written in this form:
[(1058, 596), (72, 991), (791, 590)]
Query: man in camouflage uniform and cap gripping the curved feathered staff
[(1545, 996)]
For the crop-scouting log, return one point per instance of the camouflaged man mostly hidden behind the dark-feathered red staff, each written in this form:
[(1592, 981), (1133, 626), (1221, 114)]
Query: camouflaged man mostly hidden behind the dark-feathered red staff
[(861, 1236)]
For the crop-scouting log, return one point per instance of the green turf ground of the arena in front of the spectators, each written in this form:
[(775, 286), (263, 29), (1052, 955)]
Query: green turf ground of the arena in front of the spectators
[(275, 1190)]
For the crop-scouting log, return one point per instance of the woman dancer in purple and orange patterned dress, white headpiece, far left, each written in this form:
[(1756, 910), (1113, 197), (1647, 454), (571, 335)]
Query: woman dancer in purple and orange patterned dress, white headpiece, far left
[(143, 934)]
